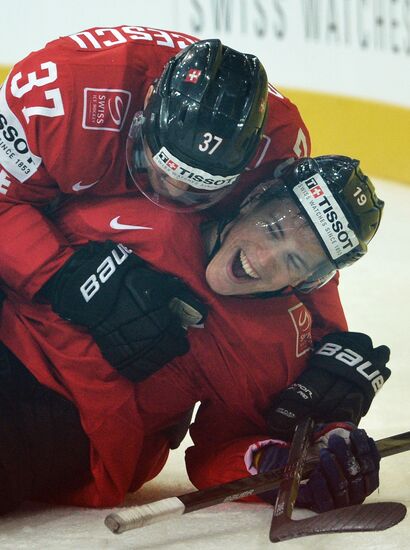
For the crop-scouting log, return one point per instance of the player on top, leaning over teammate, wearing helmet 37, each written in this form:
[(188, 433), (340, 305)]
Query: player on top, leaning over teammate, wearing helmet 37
[(115, 111)]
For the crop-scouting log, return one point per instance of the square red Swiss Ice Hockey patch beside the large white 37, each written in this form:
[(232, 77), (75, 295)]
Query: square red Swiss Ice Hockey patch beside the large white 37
[(105, 109)]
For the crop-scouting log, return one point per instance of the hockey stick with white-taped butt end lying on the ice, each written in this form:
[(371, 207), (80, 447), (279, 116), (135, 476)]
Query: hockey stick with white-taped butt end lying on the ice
[(146, 514)]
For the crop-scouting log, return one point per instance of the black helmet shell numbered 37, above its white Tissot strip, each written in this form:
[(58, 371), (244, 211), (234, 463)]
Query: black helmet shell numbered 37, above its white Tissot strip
[(208, 108)]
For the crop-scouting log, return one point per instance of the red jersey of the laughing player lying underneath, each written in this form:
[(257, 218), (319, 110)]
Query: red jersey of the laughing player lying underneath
[(249, 349)]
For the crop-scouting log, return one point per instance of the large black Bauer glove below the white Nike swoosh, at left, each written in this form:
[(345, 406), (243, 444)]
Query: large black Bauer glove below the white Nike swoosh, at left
[(136, 315)]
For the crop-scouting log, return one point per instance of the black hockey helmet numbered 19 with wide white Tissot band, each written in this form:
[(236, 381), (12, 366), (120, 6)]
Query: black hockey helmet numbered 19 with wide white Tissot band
[(340, 202)]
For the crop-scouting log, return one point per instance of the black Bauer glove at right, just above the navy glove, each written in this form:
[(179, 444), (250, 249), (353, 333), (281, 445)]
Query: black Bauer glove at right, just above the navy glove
[(342, 378)]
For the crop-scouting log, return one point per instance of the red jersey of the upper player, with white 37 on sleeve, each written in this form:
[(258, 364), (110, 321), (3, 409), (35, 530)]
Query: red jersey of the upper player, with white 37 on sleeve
[(65, 111)]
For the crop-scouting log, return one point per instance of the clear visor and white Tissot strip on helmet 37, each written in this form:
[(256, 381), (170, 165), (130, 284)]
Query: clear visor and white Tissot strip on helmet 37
[(169, 182)]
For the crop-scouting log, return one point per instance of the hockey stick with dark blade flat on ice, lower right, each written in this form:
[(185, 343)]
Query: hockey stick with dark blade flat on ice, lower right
[(367, 517)]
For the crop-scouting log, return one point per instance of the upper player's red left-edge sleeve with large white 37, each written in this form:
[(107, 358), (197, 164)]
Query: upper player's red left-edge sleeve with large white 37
[(31, 114)]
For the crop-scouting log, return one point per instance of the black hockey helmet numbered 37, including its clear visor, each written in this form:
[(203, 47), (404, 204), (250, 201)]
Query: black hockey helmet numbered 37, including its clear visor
[(203, 122)]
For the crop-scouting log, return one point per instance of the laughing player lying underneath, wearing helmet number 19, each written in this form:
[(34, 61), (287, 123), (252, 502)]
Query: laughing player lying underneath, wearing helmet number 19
[(251, 270)]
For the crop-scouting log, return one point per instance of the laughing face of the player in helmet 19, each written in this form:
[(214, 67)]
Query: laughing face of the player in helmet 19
[(266, 249)]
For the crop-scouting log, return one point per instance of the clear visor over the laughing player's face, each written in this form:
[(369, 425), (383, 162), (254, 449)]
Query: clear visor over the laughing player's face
[(277, 245)]
